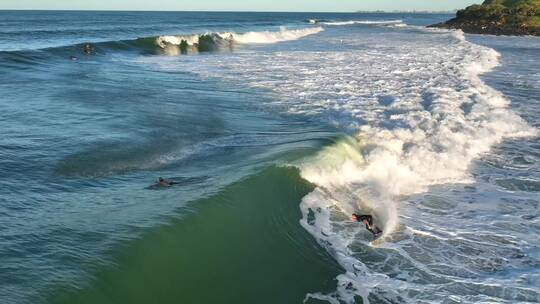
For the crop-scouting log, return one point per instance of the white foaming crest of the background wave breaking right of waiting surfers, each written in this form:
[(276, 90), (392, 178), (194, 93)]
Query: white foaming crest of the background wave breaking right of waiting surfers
[(263, 37)]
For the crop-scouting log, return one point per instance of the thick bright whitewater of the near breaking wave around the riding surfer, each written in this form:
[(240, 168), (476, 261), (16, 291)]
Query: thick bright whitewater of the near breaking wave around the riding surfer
[(372, 171)]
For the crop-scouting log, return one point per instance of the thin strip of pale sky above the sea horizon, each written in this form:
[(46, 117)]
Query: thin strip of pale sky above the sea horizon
[(240, 5)]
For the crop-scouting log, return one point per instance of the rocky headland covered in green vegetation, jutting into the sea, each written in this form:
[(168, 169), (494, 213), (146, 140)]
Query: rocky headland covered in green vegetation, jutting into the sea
[(499, 17)]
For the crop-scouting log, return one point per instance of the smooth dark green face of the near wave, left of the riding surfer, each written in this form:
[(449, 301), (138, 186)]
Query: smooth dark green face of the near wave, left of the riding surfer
[(247, 248)]
